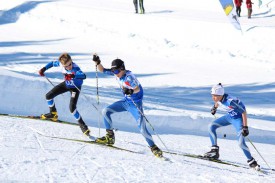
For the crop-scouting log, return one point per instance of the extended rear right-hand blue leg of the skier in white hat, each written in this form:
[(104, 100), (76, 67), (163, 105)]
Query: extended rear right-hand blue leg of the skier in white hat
[(237, 123)]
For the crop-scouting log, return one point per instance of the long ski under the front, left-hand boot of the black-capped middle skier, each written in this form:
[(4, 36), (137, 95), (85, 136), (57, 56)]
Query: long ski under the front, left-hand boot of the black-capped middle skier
[(92, 141)]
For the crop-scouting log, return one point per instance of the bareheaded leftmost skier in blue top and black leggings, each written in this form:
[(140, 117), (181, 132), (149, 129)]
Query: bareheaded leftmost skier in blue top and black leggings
[(73, 81)]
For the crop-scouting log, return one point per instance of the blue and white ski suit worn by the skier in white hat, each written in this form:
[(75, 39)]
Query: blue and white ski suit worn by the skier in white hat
[(234, 108)]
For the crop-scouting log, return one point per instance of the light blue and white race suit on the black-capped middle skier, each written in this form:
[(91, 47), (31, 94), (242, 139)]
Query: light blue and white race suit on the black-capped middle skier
[(126, 104)]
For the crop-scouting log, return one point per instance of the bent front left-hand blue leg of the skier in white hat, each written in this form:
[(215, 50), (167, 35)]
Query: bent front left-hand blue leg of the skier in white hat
[(212, 127)]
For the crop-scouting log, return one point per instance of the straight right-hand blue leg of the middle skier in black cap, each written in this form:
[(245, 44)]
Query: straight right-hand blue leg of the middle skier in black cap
[(140, 121)]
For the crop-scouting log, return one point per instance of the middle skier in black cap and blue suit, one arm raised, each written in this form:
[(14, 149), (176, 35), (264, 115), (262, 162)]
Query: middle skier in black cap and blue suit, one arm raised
[(132, 102)]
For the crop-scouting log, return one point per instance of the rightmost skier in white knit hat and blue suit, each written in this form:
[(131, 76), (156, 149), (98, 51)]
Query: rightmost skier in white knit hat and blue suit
[(236, 116)]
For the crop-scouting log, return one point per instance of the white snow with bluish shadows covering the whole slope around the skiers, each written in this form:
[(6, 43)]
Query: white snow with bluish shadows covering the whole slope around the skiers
[(178, 50)]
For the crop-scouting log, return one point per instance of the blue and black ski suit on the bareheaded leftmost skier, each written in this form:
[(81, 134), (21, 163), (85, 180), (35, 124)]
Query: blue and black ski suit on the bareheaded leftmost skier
[(67, 86)]
